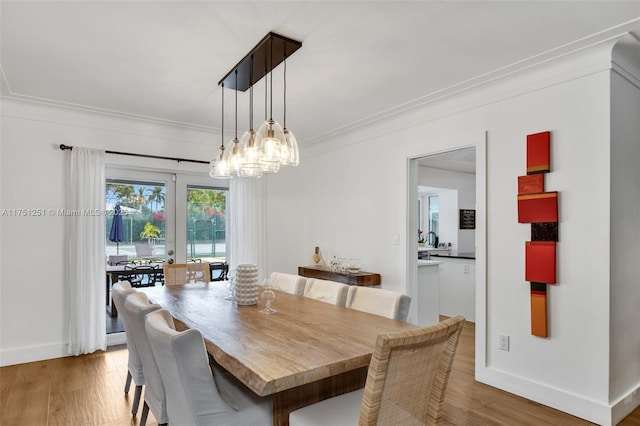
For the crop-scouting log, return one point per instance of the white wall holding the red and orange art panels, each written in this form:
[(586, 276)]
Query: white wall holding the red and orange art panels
[(356, 201)]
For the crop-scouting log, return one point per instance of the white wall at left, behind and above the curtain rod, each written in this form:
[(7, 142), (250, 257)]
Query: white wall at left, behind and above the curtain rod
[(33, 320)]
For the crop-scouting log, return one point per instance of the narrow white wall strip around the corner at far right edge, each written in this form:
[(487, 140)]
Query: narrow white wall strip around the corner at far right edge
[(625, 231)]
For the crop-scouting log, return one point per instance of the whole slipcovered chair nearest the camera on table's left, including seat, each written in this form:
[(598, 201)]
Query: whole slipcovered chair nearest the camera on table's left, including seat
[(196, 396)]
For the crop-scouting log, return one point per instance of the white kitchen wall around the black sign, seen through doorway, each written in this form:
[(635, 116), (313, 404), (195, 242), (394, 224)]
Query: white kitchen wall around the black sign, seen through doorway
[(465, 184)]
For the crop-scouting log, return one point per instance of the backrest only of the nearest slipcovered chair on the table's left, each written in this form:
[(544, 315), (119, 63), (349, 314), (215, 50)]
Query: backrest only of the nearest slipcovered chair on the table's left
[(192, 398)]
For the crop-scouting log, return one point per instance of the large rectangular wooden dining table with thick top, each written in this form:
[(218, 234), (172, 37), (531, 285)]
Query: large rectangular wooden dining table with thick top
[(306, 352)]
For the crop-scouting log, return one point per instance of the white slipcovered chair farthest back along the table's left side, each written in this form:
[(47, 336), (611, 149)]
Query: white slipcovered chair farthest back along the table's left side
[(119, 292)]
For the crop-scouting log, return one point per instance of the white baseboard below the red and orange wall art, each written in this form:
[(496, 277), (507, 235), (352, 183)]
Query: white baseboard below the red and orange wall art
[(575, 405)]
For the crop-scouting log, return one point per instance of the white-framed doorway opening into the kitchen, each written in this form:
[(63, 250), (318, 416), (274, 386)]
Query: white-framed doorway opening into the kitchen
[(457, 177)]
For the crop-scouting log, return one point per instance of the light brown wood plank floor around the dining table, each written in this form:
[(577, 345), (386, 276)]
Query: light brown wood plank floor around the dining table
[(88, 390)]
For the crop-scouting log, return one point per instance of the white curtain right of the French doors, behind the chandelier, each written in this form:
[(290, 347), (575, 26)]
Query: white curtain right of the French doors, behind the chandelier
[(247, 211)]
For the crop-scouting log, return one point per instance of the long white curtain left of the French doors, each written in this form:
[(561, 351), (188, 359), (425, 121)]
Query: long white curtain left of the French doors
[(85, 256)]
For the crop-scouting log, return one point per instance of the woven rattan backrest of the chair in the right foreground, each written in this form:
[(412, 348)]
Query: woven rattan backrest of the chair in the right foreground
[(408, 375)]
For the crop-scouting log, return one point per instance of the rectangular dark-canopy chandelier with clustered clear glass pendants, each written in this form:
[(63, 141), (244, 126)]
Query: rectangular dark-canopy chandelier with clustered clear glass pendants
[(264, 150)]
